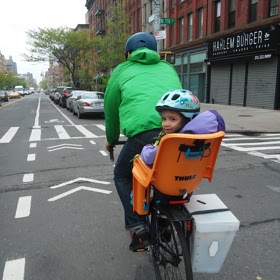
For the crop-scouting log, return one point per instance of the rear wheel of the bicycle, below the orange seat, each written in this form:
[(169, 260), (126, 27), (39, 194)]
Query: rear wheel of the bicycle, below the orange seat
[(170, 249)]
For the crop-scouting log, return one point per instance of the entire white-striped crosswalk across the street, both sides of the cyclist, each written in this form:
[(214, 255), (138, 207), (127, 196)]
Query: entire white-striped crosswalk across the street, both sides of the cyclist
[(261, 145)]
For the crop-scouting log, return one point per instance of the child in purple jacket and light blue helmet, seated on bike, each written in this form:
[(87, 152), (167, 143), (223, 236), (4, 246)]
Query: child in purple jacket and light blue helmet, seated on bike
[(180, 113)]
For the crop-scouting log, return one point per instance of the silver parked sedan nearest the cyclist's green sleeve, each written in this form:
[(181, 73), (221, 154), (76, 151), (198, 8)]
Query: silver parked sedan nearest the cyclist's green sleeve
[(89, 102)]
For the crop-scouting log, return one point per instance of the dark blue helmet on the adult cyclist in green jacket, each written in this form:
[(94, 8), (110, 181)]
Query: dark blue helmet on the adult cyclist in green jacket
[(139, 40)]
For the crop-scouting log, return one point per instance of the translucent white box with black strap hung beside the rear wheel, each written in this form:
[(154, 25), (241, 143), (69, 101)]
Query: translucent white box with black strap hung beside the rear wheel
[(213, 233)]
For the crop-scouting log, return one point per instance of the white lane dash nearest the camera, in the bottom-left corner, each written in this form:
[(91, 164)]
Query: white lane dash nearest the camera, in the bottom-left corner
[(14, 270)]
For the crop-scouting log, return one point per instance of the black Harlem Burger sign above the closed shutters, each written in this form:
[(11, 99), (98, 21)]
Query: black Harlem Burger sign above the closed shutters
[(255, 41)]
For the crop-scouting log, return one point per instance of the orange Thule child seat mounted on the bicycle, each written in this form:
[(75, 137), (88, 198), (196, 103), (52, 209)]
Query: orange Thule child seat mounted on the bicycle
[(181, 162)]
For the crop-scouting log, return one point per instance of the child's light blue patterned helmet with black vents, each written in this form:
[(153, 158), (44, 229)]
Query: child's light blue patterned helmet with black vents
[(180, 100)]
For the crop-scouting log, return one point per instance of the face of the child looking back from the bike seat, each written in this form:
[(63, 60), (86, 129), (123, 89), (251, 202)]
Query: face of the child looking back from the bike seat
[(171, 121)]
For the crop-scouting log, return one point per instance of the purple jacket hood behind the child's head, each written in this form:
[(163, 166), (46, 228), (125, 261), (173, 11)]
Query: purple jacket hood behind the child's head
[(205, 123)]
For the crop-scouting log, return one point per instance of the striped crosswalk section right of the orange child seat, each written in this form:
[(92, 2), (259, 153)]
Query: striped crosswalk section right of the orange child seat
[(263, 145)]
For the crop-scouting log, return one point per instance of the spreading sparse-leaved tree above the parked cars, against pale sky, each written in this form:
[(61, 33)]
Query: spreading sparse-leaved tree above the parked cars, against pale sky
[(68, 47)]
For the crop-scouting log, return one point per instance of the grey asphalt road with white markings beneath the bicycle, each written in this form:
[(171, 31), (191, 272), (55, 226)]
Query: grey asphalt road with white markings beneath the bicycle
[(61, 218)]
